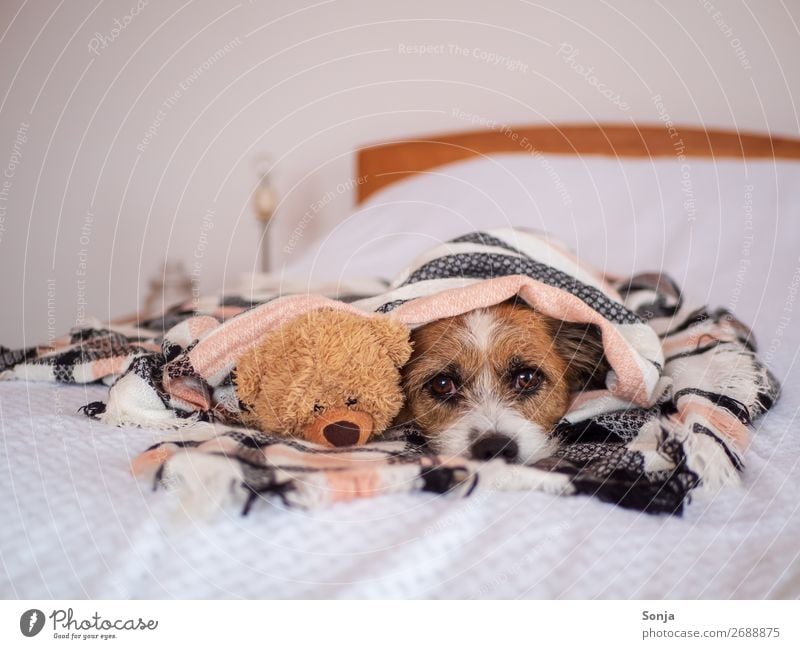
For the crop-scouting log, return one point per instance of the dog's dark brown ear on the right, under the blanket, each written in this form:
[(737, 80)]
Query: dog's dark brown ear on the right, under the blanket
[(581, 345)]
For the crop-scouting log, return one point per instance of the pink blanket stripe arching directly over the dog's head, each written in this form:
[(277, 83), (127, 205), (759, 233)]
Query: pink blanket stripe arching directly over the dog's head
[(631, 383)]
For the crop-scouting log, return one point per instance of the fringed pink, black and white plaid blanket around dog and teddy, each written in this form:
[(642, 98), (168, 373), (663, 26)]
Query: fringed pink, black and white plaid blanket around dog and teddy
[(673, 419)]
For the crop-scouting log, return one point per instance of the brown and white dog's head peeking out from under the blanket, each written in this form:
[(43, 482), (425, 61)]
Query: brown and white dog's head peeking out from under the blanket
[(494, 382)]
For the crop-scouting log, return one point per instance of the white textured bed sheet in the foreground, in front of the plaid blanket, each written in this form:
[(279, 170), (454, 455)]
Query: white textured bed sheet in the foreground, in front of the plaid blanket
[(76, 524)]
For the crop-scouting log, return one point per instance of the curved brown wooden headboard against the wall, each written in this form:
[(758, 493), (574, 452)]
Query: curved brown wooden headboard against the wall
[(382, 164)]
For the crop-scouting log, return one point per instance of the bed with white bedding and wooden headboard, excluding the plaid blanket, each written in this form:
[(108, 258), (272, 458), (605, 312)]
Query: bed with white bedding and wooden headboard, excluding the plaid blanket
[(721, 206)]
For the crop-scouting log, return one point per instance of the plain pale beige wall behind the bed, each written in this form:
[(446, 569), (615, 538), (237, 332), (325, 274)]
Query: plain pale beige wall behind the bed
[(121, 147)]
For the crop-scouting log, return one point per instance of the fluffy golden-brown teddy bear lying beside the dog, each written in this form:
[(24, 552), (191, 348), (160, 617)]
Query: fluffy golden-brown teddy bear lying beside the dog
[(329, 376)]
